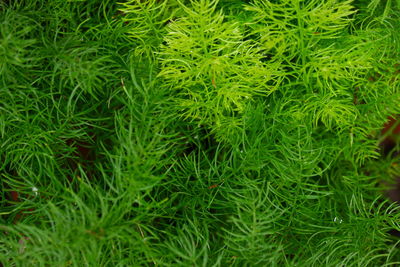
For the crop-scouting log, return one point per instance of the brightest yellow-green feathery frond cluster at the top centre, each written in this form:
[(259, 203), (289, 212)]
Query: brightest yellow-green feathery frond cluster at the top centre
[(212, 70)]
